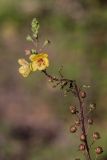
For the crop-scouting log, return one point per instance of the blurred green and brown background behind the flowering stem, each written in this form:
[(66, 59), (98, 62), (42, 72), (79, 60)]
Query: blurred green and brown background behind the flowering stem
[(34, 117)]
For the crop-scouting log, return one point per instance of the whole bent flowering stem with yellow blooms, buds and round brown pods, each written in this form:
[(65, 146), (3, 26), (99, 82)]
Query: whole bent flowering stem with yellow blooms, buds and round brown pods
[(39, 61)]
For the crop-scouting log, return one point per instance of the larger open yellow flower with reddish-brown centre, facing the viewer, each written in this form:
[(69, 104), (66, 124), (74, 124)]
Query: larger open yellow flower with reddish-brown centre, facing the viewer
[(39, 61)]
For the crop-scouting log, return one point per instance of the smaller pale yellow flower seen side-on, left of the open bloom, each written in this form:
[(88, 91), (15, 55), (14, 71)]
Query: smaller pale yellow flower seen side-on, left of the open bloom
[(25, 68)]
